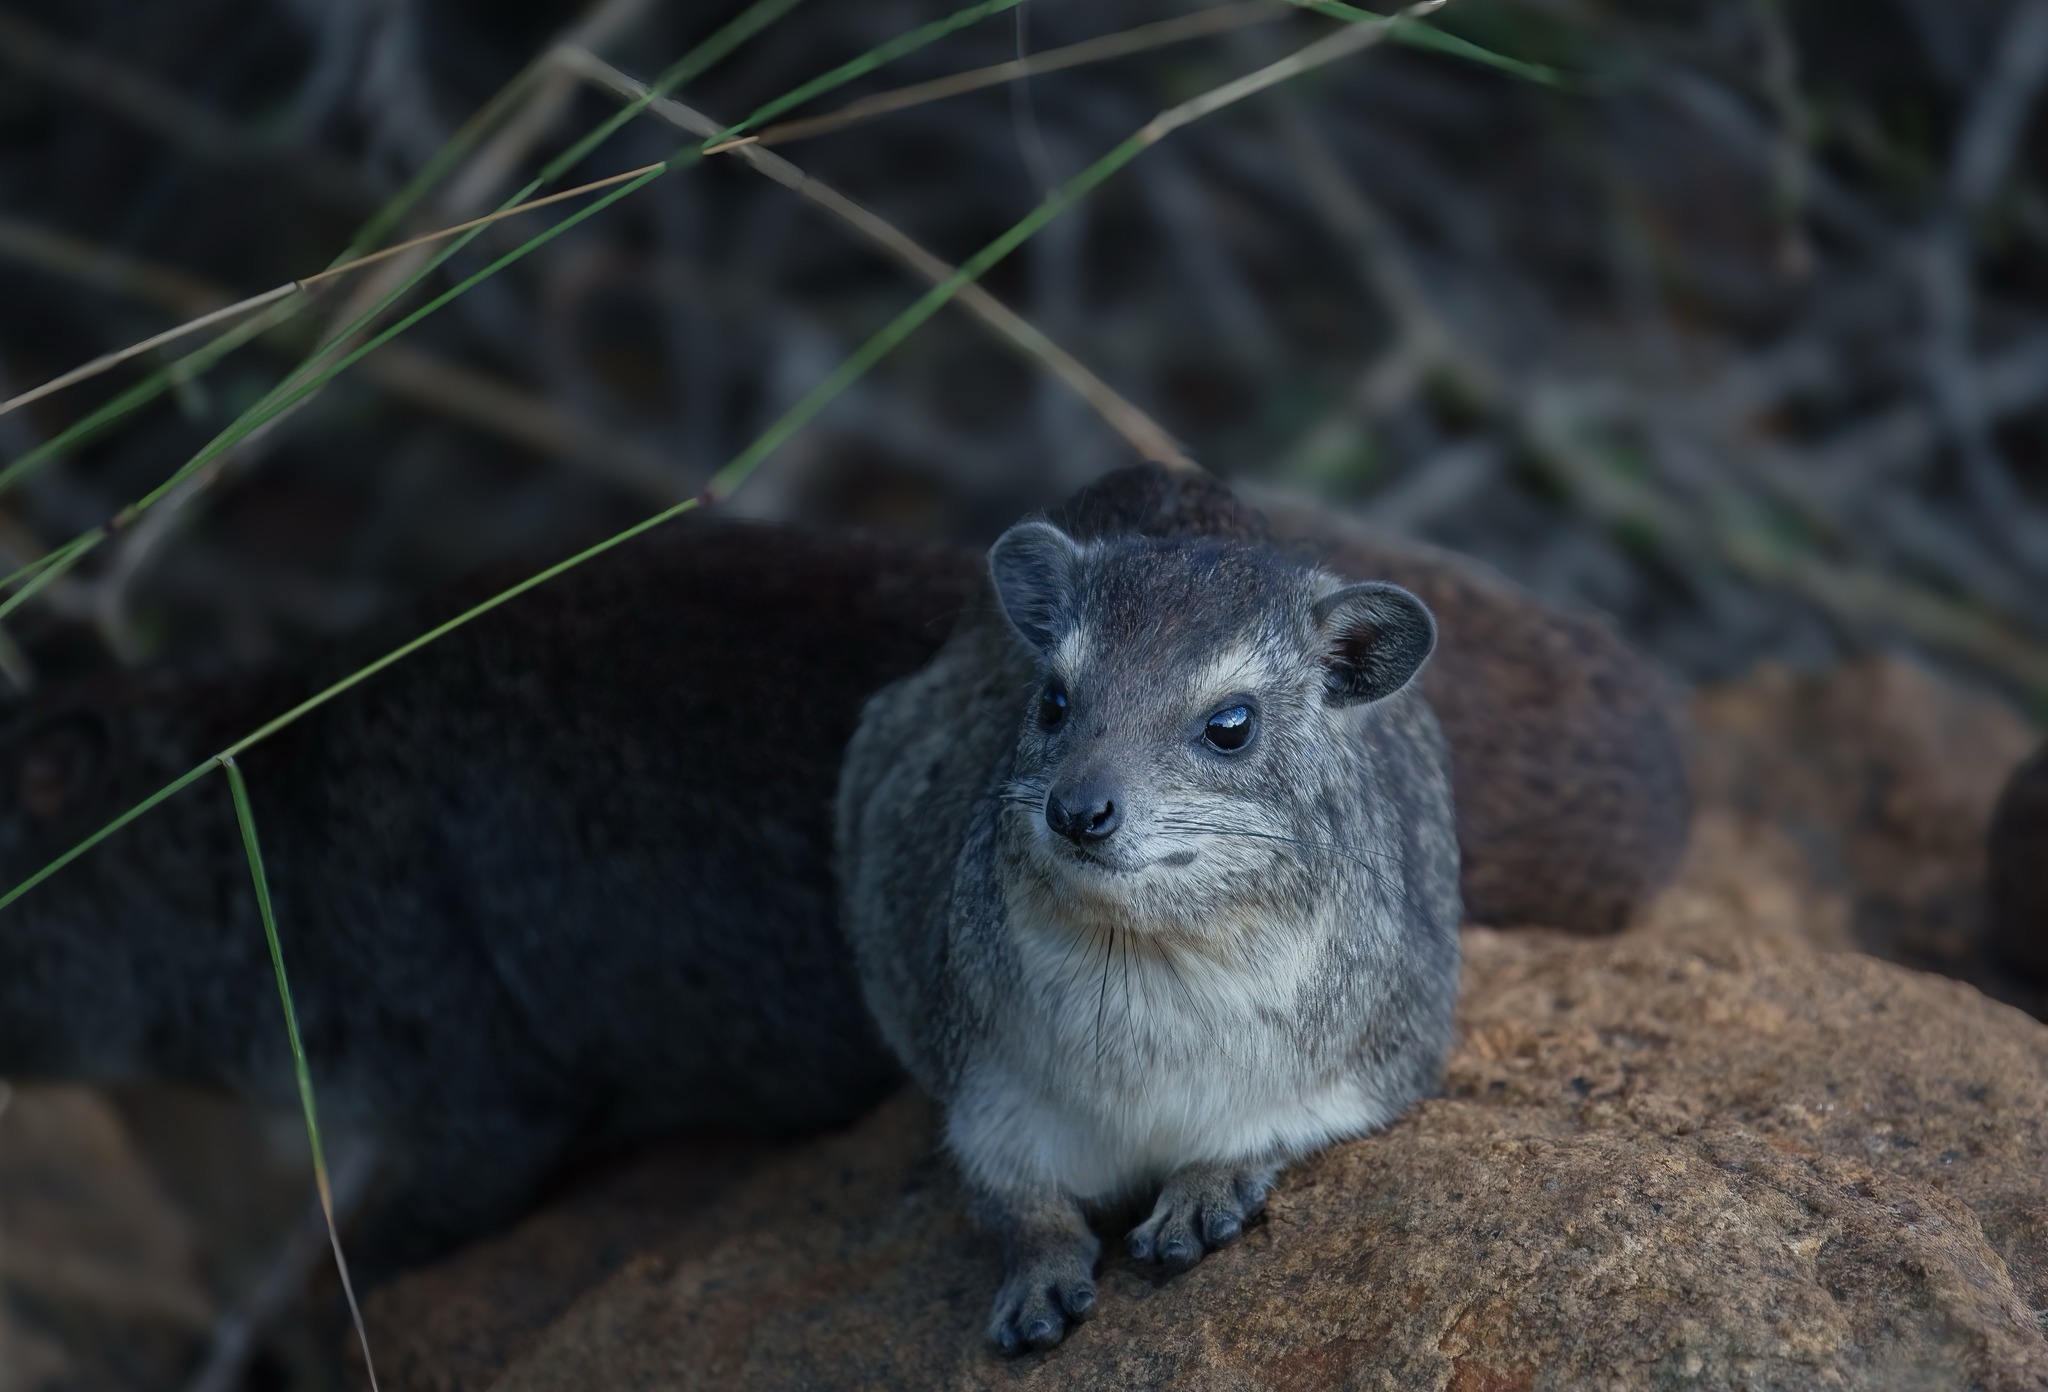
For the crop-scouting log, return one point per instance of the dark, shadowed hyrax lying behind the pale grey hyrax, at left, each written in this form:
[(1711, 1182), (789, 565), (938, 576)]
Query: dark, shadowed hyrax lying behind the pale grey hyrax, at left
[(562, 877)]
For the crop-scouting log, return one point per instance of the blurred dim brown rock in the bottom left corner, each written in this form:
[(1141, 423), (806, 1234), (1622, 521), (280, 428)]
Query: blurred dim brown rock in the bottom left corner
[(132, 1229)]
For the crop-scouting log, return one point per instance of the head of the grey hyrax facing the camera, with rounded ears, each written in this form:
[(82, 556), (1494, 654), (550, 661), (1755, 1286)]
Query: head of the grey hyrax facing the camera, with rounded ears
[(1193, 726)]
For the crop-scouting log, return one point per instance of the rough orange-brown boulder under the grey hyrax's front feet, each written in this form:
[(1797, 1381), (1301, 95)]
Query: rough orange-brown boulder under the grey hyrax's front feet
[(1658, 1164)]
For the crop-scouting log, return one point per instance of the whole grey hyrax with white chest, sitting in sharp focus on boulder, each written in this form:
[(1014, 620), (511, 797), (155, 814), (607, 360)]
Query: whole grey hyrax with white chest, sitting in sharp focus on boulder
[(1152, 879)]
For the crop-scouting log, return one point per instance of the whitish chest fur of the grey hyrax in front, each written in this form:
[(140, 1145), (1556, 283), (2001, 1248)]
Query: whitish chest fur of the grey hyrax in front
[(1123, 1059)]
